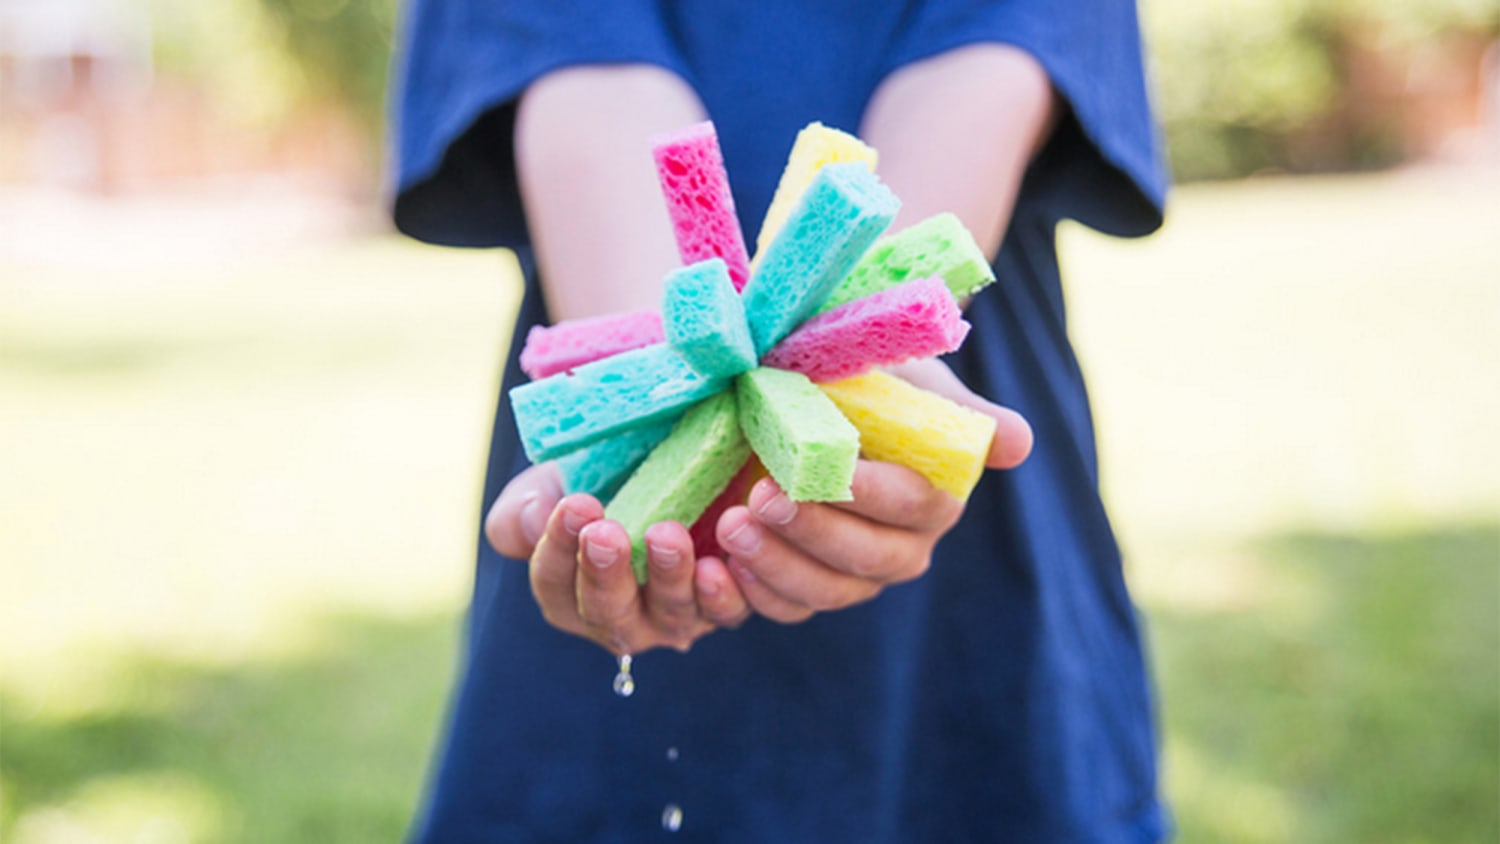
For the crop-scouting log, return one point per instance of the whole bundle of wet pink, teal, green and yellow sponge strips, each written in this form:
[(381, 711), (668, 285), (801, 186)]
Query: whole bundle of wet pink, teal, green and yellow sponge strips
[(766, 367)]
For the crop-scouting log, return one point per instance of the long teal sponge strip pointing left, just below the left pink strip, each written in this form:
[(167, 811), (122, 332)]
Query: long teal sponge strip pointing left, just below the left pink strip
[(566, 413)]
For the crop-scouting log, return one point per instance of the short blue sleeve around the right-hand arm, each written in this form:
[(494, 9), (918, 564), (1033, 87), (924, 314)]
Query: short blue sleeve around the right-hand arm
[(1103, 166)]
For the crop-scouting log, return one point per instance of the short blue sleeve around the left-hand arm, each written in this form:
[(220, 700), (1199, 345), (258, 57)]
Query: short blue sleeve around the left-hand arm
[(461, 68)]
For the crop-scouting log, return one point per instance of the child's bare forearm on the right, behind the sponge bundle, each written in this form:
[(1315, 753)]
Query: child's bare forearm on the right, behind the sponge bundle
[(958, 131)]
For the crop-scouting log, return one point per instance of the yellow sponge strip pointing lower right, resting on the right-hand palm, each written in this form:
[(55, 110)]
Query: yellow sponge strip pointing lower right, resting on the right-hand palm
[(899, 423)]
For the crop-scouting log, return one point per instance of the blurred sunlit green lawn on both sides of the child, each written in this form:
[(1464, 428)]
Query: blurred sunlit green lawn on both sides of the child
[(232, 584)]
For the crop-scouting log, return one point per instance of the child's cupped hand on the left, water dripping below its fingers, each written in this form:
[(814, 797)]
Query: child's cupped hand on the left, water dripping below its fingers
[(581, 570)]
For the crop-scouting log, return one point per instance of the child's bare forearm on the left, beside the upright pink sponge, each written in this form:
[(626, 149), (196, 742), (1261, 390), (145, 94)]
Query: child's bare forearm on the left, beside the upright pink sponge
[(598, 223)]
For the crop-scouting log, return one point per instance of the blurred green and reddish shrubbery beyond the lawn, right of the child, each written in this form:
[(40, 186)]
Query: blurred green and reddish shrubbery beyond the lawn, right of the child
[(1247, 86)]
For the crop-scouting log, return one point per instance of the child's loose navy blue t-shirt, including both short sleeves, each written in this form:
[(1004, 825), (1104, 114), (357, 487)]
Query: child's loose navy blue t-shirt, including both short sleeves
[(1003, 696)]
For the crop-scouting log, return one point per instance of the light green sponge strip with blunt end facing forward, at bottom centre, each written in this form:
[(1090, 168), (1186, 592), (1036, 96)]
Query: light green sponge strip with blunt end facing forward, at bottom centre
[(799, 434)]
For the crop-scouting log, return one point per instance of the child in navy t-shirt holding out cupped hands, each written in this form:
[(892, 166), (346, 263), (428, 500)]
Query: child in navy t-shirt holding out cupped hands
[(902, 668)]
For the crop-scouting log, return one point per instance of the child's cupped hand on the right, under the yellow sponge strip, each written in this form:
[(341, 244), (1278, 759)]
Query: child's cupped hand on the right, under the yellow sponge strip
[(797, 560)]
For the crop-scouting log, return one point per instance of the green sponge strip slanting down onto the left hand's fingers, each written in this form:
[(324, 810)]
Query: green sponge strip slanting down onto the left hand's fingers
[(683, 476)]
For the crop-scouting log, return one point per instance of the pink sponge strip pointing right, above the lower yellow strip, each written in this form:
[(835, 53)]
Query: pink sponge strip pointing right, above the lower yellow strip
[(913, 320)]
